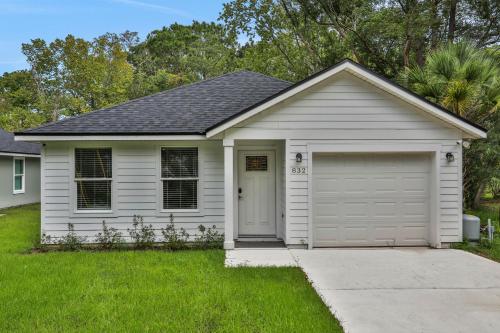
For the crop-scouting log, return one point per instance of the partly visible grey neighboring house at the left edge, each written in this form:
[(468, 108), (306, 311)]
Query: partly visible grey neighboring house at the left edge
[(19, 171)]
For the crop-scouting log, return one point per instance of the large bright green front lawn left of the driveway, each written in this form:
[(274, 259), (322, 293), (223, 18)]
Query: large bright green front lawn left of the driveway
[(148, 291)]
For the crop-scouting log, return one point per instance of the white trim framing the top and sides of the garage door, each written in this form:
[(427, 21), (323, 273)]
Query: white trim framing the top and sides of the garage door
[(434, 238)]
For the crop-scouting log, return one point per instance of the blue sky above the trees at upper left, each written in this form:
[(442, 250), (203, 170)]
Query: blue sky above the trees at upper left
[(23, 20)]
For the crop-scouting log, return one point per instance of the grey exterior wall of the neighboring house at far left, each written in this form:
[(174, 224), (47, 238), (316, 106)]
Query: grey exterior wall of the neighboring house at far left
[(32, 182)]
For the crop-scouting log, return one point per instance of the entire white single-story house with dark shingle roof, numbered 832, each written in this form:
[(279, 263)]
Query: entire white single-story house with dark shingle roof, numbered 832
[(342, 158)]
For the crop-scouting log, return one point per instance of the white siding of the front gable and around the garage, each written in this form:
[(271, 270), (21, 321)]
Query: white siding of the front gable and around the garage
[(347, 110)]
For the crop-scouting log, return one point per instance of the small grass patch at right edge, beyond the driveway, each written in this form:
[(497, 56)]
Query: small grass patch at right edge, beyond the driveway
[(489, 210)]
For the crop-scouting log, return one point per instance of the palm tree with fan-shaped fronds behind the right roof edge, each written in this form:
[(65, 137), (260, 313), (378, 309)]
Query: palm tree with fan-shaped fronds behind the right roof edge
[(466, 80)]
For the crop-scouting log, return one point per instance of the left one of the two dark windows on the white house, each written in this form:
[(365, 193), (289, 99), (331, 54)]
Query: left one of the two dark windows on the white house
[(93, 176)]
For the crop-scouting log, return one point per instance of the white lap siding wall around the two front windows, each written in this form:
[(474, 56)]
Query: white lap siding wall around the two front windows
[(136, 188)]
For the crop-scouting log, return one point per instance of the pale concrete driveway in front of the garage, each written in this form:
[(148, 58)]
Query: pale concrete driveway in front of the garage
[(406, 290)]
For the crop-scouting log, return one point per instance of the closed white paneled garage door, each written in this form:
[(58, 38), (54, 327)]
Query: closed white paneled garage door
[(371, 199)]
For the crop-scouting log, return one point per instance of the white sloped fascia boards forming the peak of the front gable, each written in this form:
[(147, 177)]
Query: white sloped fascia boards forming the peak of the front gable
[(367, 76)]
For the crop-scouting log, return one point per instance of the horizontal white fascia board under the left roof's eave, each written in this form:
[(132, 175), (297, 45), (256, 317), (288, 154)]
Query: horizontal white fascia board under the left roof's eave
[(45, 138)]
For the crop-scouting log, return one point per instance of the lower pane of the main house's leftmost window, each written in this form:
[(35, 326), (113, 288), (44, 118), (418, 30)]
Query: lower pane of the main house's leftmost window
[(94, 194)]
